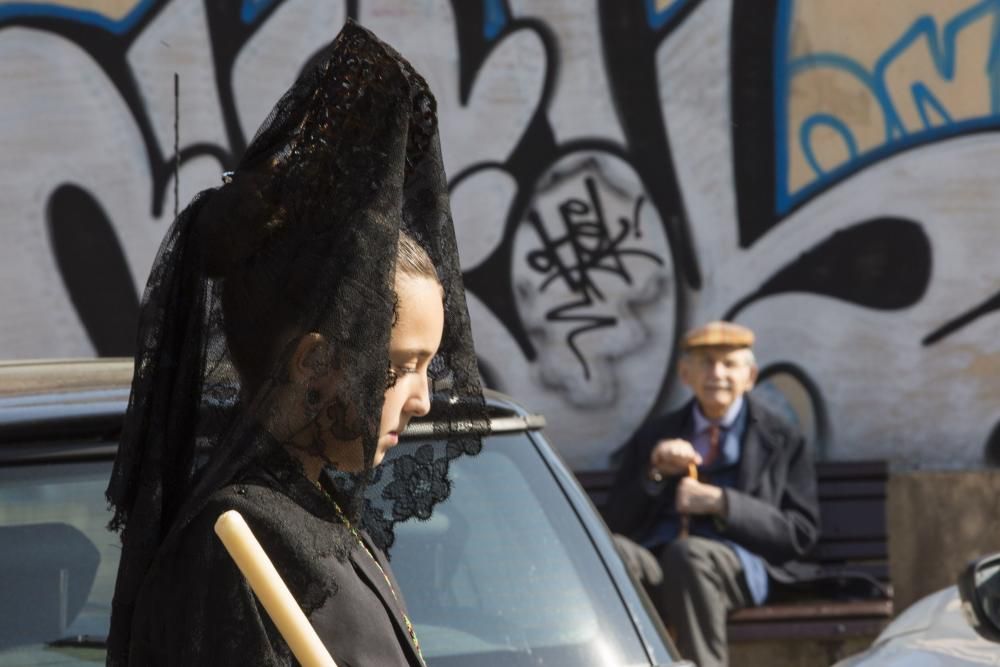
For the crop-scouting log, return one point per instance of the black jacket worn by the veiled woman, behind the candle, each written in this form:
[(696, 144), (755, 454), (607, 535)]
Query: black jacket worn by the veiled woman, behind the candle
[(195, 608)]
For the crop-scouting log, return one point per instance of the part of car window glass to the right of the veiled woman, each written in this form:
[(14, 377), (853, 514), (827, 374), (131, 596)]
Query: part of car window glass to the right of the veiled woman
[(504, 573)]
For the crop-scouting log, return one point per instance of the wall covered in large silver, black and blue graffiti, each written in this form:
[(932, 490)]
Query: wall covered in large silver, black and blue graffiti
[(824, 171)]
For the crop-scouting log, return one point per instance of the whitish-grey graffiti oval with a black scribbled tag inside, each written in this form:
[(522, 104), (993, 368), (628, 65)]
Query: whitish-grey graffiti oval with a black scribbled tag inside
[(591, 267)]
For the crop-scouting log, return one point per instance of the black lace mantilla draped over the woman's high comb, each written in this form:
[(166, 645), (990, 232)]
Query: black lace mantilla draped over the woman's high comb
[(302, 238)]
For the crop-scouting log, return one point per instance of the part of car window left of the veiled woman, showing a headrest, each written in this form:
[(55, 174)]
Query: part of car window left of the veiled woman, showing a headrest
[(57, 562)]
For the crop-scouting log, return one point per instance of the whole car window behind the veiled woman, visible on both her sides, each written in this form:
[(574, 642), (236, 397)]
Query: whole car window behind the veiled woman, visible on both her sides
[(502, 574)]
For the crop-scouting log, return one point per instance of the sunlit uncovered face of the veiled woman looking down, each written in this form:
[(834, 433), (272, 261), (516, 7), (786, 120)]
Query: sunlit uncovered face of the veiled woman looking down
[(414, 342)]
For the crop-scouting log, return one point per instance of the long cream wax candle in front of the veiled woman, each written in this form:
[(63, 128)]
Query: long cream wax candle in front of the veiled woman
[(272, 592)]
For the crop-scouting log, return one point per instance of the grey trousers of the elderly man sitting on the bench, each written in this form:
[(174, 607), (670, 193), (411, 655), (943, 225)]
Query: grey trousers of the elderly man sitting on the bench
[(694, 583)]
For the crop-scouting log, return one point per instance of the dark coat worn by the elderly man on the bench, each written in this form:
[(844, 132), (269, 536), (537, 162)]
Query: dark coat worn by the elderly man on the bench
[(773, 509)]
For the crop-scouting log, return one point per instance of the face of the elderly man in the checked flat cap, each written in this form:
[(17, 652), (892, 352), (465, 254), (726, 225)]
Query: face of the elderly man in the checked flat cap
[(718, 376)]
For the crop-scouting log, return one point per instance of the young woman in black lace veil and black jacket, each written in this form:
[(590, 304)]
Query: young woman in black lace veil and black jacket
[(291, 326)]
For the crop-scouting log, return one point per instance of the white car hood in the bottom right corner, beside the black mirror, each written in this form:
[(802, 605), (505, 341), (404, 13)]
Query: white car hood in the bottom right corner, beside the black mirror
[(930, 633)]
